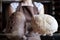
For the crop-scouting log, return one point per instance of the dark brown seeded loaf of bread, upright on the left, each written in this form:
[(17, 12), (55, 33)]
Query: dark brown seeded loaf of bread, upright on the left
[(15, 24)]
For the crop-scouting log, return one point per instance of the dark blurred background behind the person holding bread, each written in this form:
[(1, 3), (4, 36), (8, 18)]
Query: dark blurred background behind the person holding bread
[(51, 7)]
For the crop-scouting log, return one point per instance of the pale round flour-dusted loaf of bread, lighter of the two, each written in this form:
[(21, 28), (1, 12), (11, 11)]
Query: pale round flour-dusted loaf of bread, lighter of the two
[(44, 24)]
